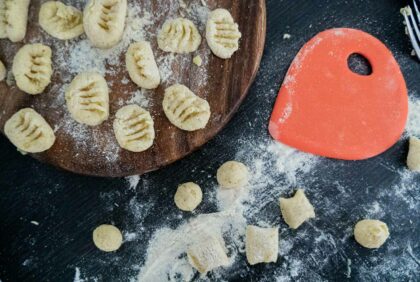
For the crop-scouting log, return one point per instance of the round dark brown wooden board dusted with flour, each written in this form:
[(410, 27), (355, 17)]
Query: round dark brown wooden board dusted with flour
[(94, 150)]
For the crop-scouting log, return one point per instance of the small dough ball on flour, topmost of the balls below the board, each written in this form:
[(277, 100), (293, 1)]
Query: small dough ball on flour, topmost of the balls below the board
[(232, 174)]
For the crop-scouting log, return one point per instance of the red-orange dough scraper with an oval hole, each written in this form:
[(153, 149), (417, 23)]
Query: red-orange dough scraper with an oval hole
[(326, 109)]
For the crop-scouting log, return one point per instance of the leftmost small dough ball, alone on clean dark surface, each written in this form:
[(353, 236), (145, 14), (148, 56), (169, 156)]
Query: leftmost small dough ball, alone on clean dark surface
[(107, 238)]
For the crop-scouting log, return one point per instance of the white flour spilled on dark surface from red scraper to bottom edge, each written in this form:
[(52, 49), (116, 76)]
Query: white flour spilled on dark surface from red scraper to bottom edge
[(166, 253)]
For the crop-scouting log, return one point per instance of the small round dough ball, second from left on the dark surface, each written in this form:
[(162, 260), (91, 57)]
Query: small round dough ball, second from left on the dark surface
[(188, 196)]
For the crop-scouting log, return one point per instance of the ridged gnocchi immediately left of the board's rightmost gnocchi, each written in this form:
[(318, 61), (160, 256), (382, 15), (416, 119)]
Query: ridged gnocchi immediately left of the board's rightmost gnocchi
[(179, 36)]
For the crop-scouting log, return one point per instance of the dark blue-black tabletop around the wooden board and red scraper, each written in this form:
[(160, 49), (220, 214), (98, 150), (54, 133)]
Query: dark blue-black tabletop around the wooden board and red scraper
[(68, 207)]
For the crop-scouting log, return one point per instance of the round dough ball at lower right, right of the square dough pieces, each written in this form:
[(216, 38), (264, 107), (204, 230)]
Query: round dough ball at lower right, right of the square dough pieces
[(371, 233)]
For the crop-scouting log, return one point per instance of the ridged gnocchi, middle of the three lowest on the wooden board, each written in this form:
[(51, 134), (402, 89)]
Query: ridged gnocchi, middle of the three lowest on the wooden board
[(133, 128)]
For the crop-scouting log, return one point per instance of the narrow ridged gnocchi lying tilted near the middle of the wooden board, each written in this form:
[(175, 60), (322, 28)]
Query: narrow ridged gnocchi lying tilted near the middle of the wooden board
[(141, 65)]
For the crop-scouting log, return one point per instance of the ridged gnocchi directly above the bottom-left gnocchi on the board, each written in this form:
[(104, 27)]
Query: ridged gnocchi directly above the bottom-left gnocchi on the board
[(32, 68)]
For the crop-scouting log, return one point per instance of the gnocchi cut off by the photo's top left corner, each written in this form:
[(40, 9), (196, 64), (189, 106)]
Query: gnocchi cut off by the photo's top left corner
[(13, 19)]
